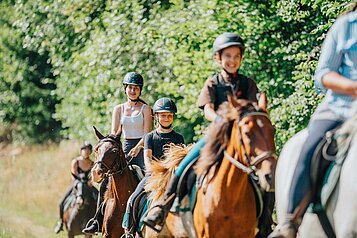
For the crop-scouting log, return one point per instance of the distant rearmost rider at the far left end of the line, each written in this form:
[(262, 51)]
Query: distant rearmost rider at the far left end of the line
[(80, 165)]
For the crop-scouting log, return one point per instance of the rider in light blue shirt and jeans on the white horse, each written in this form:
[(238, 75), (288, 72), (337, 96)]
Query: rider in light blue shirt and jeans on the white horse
[(336, 75)]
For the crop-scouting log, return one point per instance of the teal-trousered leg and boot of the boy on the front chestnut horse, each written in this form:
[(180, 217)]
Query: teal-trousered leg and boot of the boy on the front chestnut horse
[(156, 217)]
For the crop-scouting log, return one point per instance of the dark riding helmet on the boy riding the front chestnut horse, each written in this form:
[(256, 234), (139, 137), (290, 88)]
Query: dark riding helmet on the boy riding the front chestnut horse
[(228, 39)]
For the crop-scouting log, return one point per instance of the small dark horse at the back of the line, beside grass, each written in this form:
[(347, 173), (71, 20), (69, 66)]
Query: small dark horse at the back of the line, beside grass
[(82, 208)]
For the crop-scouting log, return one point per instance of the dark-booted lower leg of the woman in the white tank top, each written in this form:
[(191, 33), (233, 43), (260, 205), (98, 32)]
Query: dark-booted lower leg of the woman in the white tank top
[(97, 220)]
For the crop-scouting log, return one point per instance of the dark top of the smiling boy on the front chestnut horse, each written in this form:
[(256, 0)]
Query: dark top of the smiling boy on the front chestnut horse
[(243, 90)]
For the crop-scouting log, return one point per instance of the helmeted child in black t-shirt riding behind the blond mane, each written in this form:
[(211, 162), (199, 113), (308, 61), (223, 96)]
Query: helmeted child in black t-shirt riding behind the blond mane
[(155, 141)]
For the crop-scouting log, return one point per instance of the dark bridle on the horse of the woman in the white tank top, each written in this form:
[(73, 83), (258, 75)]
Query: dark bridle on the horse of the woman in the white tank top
[(116, 167)]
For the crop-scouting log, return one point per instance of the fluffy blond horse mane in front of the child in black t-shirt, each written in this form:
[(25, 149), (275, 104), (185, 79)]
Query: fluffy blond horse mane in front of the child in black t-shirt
[(162, 170)]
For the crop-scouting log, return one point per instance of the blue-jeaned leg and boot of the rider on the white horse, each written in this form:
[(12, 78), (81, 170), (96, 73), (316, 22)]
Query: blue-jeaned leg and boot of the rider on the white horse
[(300, 189)]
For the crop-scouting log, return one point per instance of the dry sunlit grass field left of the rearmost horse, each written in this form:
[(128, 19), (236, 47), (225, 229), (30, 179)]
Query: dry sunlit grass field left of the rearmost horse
[(32, 183)]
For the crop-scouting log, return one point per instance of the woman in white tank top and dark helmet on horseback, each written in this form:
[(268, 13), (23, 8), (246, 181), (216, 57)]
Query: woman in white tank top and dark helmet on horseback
[(132, 119)]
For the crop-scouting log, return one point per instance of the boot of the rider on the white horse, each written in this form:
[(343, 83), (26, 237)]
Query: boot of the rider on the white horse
[(287, 229)]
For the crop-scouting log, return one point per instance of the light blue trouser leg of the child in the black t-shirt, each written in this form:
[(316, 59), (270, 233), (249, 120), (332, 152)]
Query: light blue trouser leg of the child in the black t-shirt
[(127, 220)]
